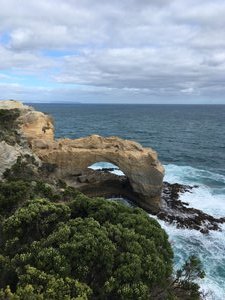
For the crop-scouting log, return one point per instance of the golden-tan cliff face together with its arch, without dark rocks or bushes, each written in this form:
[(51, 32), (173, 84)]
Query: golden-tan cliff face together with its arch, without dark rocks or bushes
[(140, 165)]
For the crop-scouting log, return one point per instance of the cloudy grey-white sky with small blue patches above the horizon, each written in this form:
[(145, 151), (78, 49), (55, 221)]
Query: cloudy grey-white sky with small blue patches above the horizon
[(120, 51)]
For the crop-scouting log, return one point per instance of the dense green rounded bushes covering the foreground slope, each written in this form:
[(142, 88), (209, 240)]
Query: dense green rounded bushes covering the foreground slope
[(59, 244)]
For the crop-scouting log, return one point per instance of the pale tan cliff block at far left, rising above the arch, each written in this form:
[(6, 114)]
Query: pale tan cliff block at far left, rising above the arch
[(19, 124)]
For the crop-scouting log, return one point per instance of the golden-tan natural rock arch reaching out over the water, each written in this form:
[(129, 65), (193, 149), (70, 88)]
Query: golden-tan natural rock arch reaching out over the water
[(140, 165)]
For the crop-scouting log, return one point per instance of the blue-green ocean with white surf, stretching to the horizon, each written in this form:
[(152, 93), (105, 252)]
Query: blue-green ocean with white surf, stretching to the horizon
[(190, 141)]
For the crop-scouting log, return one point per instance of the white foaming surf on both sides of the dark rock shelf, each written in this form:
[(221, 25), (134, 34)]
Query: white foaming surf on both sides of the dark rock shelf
[(209, 196)]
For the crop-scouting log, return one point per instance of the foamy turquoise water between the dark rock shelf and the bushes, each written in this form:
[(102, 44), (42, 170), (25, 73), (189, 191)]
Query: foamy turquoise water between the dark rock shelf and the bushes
[(209, 248)]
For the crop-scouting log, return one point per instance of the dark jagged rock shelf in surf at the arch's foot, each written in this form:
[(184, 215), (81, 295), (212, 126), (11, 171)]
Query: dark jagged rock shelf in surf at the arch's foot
[(174, 211)]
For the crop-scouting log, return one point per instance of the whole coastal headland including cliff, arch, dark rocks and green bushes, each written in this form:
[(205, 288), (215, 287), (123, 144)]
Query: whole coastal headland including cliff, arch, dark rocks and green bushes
[(43, 212)]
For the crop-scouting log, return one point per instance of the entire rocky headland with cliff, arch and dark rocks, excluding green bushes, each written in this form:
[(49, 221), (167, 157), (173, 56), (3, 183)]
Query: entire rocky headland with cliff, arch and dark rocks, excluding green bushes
[(27, 139)]
